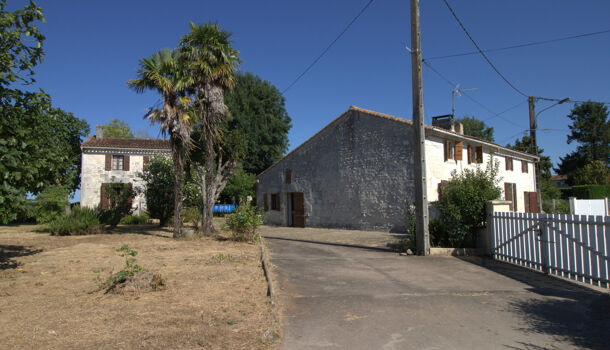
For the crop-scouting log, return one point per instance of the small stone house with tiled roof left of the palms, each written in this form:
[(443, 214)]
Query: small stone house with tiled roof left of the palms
[(116, 160)]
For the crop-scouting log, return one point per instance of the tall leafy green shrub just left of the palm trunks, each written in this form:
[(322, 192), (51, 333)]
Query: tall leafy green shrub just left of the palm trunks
[(159, 180)]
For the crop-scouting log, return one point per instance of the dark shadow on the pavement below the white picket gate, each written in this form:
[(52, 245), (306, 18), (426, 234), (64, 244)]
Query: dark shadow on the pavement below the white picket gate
[(563, 309)]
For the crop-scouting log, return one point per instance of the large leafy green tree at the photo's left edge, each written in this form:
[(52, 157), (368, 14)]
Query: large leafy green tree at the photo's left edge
[(39, 144)]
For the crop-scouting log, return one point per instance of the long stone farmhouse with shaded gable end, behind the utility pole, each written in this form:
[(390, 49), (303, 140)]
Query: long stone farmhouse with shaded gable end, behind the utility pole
[(357, 172)]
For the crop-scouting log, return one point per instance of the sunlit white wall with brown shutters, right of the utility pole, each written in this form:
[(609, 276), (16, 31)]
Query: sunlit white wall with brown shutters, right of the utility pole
[(438, 169)]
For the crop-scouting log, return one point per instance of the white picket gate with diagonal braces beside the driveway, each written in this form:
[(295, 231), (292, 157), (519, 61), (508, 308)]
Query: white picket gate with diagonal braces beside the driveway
[(572, 246)]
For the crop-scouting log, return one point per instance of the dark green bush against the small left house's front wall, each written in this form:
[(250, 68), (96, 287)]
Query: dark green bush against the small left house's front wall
[(119, 197)]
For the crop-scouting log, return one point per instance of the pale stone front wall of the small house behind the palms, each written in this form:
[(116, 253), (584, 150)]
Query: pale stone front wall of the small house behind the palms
[(94, 175)]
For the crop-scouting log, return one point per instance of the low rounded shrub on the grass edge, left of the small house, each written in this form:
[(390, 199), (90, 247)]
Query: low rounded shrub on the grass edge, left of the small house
[(80, 221)]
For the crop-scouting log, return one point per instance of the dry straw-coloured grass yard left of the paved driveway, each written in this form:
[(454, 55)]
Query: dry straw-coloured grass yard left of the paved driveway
[(216, 295)]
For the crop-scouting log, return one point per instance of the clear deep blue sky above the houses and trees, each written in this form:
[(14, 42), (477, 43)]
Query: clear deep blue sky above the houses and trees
[(93, 47)]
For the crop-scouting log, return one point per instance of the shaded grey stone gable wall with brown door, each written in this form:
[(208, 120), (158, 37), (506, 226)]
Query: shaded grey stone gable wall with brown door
[(355, 174)]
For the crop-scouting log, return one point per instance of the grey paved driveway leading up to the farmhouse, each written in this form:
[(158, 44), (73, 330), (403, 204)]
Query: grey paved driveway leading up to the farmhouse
[(340, 297)]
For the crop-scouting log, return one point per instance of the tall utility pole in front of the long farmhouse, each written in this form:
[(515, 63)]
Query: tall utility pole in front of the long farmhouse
[(422, 238)]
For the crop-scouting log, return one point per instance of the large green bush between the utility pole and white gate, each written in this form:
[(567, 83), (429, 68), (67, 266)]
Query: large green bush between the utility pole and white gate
[(462, 202)]
